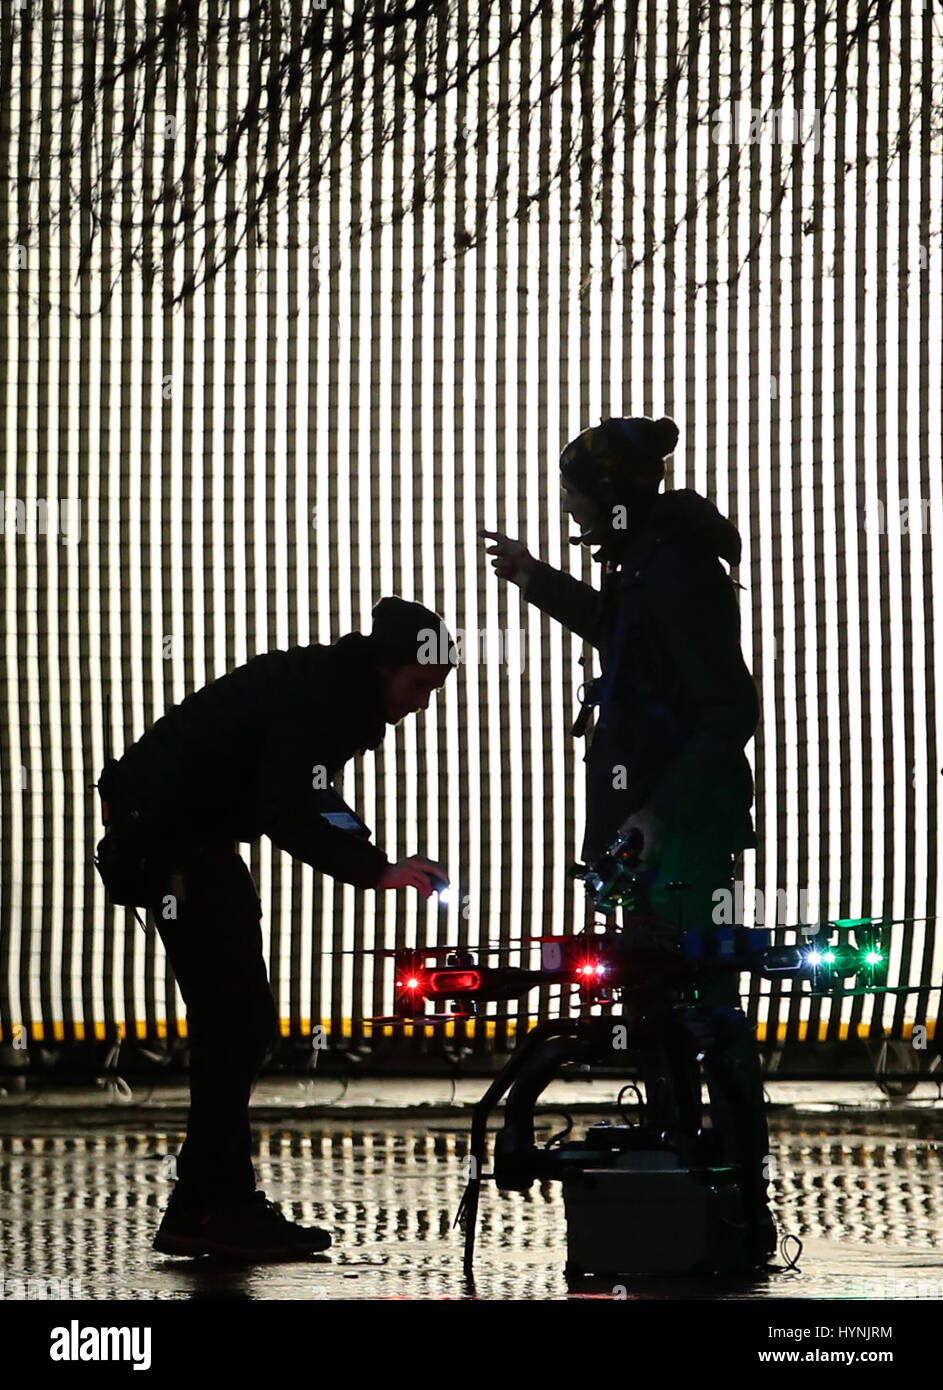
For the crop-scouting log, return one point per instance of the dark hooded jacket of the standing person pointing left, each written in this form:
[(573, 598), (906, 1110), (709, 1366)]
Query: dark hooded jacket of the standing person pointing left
[(682, 704)]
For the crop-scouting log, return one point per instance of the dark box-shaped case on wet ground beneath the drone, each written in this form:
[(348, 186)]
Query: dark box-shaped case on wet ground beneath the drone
[(649, 1218)]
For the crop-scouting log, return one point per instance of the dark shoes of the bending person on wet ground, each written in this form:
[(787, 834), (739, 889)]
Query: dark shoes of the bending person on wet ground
[(251, 1229)]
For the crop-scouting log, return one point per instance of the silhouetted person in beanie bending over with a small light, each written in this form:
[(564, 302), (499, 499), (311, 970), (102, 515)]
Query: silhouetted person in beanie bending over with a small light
[(251, 755)]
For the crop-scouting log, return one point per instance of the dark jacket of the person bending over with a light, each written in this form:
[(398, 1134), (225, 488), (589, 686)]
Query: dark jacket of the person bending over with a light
[(245, 757)]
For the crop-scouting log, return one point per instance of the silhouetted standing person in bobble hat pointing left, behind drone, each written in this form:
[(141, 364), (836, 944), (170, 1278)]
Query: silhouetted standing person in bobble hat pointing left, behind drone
[(675, 710)]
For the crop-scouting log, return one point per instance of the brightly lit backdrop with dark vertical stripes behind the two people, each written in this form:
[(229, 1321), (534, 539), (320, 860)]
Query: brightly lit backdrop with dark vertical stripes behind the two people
[(424, 290)]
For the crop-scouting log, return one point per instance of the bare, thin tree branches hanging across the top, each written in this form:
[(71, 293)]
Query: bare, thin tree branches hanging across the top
[(296, 116)]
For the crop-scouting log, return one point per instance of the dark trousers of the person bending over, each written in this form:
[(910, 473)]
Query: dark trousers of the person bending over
[(208, 913)]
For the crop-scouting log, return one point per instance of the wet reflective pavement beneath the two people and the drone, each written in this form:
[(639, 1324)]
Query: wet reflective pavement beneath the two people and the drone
[(84, 1182)]
